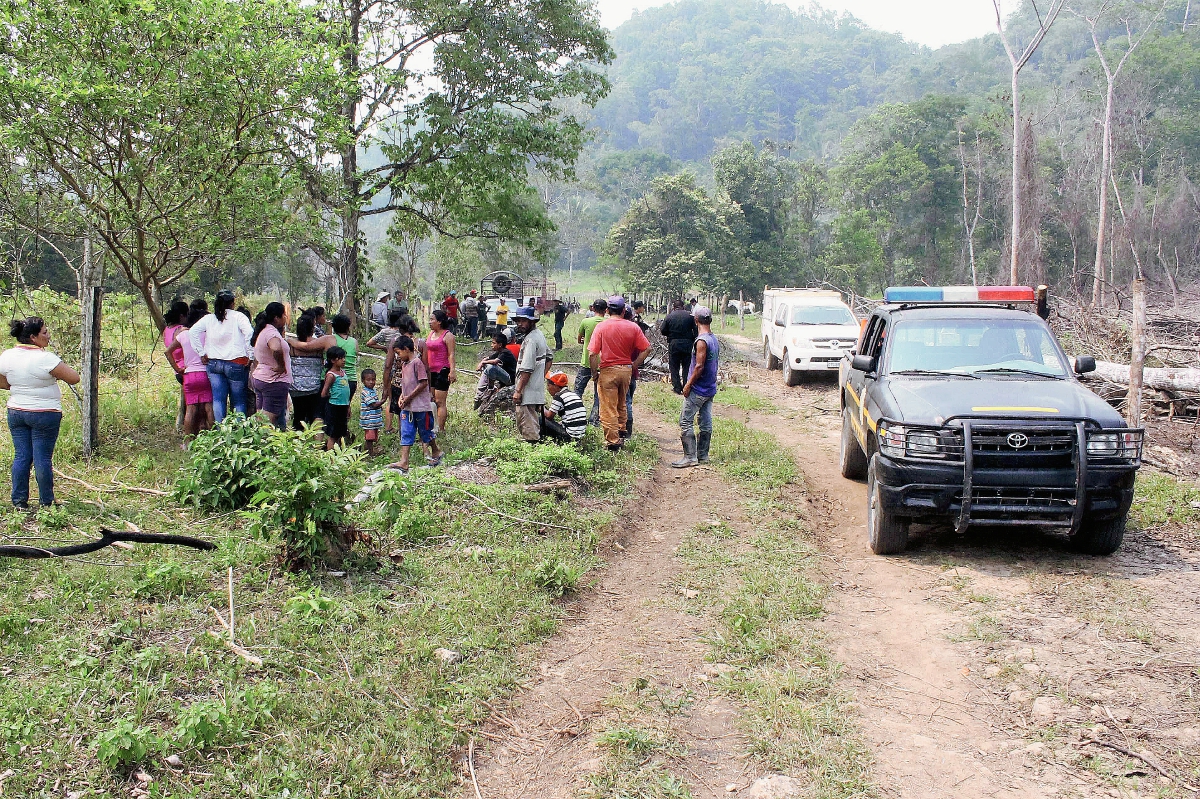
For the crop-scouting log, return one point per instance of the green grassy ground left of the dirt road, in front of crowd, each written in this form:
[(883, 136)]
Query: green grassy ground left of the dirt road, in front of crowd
[(109, 657)]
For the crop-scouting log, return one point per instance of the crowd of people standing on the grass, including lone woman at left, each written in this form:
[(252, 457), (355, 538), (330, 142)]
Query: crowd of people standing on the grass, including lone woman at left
[(226, 363)]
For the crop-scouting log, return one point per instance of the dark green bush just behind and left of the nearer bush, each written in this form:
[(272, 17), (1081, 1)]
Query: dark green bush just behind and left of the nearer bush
[(227, 464)]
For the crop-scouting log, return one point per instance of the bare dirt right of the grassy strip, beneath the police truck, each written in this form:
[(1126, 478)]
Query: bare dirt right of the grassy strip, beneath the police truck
[(995, 664)]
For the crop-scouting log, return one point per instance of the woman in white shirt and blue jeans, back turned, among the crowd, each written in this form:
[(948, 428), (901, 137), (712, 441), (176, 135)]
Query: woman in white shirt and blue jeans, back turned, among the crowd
[(223, 340)]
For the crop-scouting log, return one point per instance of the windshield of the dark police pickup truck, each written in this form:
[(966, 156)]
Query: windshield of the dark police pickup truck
[(975, 346)]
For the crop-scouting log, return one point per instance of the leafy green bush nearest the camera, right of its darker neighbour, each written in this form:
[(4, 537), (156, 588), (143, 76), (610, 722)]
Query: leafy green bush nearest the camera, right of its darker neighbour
[(303, 494)]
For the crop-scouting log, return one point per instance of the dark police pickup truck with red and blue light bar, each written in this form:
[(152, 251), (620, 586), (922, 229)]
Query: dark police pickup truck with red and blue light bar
[(959, 406)]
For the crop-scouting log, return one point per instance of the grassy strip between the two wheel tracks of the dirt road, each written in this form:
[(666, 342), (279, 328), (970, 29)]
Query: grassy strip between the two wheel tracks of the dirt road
[(763, 591)]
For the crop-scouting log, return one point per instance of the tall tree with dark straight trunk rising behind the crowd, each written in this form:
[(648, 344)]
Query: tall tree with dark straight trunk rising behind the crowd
[(448, 104)]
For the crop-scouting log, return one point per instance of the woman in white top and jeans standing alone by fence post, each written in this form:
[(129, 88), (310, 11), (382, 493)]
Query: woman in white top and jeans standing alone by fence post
[(32, 375)]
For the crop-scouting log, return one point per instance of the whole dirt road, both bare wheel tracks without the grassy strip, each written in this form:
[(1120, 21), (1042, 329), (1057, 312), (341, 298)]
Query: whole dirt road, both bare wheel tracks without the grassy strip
[(987, 665)]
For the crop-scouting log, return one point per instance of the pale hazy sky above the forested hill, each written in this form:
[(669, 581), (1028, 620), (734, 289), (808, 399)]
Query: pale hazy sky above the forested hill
[(928, 22)]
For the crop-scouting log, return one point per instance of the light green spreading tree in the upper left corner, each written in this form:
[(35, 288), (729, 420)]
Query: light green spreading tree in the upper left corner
[(164, 122)]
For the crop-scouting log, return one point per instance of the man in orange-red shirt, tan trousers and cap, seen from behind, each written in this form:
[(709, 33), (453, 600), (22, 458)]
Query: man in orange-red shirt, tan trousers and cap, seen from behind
[(617, 349)]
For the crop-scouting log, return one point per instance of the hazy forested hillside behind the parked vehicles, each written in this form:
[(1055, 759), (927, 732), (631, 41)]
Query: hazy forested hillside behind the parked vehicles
[(832, 152)]
